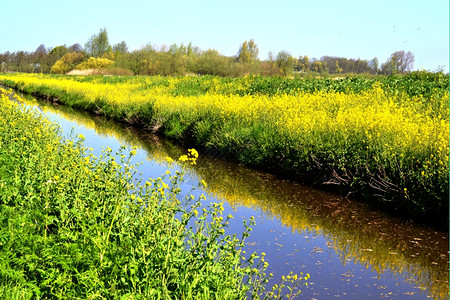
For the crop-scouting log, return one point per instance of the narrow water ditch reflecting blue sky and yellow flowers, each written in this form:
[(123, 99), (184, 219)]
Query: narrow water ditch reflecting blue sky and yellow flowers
[(349, 250)]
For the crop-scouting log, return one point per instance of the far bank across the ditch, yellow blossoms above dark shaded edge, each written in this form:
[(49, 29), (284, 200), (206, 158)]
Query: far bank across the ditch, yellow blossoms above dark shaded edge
[(385, 141)]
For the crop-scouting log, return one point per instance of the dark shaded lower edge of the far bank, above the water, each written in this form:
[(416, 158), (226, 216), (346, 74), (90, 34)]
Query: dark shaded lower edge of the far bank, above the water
[(317, 171)]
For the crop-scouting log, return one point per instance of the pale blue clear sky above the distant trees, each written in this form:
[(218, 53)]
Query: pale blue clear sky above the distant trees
[(362, 29)]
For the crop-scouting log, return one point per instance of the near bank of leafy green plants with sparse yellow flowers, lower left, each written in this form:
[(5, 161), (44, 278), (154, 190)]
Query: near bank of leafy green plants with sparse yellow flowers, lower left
[(76, 226)]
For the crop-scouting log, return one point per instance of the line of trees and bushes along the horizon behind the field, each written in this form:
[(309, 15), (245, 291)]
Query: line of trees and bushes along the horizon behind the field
[(98, 54)]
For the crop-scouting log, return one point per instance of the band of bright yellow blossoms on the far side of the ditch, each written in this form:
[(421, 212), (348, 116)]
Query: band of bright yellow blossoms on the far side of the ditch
[(386, 126)]
